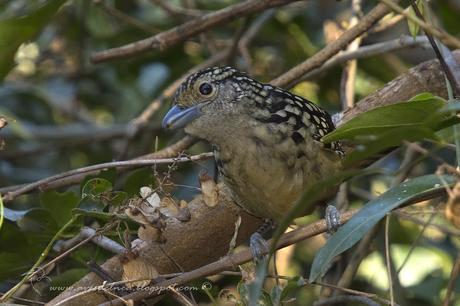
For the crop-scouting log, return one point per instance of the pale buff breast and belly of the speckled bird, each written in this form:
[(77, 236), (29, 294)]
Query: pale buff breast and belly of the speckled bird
[(267, 180)]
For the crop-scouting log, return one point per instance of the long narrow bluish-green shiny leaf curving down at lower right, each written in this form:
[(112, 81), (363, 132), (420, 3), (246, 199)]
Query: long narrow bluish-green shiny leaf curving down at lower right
[(371, 213)]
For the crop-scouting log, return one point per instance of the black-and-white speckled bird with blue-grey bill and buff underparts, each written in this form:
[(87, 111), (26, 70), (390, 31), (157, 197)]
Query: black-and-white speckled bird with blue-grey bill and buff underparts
[(266, 140)]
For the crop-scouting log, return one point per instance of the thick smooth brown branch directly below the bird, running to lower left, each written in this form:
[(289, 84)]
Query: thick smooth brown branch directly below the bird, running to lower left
[(203, 239)]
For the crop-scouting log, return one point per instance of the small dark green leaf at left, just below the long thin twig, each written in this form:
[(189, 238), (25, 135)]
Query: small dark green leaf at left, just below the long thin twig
[(59, 205)]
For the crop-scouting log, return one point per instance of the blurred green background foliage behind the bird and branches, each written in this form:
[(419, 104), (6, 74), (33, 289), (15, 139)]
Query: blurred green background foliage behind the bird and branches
[(65, 112)]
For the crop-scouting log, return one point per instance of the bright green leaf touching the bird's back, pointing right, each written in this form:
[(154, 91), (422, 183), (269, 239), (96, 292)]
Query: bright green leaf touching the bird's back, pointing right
[(412, 113)]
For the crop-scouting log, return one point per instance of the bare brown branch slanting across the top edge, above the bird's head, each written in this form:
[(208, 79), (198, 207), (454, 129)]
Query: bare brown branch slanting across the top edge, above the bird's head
[(180, 33)]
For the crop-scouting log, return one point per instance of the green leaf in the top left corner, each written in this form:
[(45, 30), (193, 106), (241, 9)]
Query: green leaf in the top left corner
[(15, 31)]
